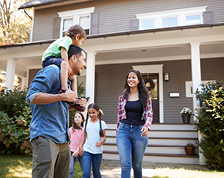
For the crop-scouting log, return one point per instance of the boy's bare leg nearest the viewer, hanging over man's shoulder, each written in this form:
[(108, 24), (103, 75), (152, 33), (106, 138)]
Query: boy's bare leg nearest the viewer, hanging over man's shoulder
[(64, 75)]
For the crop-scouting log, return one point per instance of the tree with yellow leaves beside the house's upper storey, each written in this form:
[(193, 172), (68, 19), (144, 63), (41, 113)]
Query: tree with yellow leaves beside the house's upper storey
[(14, 24)]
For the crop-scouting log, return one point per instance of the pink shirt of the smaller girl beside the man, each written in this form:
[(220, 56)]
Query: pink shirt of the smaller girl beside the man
[(76, 136)]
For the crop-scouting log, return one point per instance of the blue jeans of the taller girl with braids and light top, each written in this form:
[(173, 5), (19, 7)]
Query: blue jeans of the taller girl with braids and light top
[(95, 160)]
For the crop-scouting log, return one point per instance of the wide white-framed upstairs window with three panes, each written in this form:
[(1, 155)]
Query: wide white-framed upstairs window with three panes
[(179, 17)]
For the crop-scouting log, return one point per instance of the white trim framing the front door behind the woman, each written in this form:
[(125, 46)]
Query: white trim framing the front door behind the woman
[(155, 69)]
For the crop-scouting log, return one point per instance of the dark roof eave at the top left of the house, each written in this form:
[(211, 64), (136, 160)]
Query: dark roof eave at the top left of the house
[(36, 3)]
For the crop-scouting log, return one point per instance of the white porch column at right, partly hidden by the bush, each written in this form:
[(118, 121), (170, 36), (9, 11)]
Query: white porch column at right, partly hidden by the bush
[(196, 81)]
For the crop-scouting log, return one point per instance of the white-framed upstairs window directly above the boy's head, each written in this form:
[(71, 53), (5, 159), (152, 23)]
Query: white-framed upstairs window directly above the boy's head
[(80, 16)]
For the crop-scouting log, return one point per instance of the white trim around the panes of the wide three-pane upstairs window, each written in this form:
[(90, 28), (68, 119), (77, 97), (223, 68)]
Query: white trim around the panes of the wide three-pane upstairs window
[(179, 13)]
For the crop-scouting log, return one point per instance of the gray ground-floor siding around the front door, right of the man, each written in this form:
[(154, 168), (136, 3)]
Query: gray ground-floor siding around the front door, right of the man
[(110, 82)]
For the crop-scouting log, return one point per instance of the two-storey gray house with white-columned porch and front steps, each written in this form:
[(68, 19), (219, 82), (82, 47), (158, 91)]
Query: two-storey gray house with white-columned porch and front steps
[(176, 44)]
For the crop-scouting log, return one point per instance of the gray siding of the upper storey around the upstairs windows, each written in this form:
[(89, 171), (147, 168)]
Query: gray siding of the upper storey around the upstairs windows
[(115, 16)]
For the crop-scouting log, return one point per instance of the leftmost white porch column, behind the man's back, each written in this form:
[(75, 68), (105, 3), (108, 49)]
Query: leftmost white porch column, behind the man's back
[(10, 72)]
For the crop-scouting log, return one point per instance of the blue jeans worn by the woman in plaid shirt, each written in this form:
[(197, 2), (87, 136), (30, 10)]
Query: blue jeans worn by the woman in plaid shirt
[(131, 148)]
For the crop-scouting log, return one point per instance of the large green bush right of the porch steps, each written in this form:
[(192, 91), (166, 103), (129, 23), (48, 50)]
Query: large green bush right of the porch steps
[(210, 122)]
